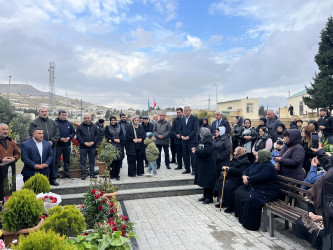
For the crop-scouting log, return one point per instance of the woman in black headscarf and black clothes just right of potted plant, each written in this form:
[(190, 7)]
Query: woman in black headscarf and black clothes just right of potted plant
[(114, 135)]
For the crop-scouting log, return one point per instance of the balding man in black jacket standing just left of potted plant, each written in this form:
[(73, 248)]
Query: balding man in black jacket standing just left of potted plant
[(87, 135)]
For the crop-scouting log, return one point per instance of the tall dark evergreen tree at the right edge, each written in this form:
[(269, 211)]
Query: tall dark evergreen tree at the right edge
[(321, 90)]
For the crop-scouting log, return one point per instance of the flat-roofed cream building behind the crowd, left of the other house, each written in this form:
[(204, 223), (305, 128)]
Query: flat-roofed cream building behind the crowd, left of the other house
[(248, 108)]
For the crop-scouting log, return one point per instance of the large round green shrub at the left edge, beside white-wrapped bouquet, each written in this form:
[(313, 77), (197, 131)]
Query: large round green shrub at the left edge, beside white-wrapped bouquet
[(22, 210)]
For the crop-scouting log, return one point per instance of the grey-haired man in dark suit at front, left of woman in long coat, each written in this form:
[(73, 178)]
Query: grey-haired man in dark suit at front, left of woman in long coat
[(189, 127)]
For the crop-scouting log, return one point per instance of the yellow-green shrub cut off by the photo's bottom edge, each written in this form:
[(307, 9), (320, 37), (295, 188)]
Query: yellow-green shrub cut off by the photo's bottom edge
[(43, 240)]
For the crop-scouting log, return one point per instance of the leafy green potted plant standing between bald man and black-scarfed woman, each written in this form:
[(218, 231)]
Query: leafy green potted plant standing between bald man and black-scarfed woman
[(107, 153)]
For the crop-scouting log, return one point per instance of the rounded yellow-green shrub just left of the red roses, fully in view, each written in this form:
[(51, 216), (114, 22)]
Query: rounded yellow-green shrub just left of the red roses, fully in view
[(67, 221)]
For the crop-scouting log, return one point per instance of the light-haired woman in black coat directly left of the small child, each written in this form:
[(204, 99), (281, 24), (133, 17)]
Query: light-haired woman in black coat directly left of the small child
[(135, 149)]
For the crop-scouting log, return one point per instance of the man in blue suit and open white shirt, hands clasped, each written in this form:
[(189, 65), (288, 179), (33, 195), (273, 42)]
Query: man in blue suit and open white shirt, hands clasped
[(37, 155)]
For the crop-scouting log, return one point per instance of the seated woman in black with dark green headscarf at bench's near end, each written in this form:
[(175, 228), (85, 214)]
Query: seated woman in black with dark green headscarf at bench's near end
[(261, 185)]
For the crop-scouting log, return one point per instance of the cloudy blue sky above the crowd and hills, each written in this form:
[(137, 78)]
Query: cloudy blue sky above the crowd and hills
[(120, 53)]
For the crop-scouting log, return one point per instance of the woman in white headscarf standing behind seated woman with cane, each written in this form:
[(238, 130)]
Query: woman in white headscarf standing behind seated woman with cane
[(222, 150)]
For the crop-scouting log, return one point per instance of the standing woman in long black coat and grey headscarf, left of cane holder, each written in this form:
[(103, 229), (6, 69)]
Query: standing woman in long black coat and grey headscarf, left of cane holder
[(205, 174)]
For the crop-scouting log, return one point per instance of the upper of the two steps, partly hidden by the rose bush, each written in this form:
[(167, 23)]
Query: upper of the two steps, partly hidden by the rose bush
[(140, 184)]
